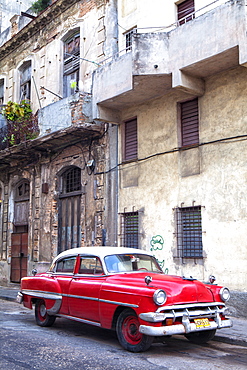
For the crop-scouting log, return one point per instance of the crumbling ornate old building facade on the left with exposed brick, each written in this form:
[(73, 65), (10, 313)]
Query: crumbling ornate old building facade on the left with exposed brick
[(53, 189)]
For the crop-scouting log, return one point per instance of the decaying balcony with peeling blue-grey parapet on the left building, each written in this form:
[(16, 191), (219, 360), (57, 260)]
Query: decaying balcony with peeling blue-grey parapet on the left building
[(66, 122)]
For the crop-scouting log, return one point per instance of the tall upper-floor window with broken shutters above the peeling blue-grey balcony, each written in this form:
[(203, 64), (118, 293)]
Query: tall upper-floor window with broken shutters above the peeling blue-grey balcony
[(71, 65)]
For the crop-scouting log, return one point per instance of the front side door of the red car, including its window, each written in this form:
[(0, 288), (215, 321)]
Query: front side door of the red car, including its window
[(85, 289)]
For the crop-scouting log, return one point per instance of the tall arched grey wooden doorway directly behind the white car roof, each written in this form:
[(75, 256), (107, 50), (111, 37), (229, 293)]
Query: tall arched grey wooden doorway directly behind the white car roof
[(69, 209)]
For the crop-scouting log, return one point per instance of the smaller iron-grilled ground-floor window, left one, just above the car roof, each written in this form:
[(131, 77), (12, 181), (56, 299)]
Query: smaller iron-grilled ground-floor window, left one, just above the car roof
[(129, 230)]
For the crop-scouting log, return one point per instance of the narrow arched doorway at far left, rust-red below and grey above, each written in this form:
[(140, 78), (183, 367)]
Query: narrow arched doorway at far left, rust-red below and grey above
[(19, 237)]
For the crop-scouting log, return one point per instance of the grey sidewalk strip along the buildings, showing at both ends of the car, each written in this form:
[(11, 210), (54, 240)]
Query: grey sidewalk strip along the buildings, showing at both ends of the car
[(236, 335)]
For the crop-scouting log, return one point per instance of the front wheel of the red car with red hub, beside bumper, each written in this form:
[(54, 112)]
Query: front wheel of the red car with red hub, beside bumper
[(128, 333)]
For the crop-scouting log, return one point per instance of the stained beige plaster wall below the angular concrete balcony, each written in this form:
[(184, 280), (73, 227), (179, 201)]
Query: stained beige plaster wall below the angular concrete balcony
[(212, 175)]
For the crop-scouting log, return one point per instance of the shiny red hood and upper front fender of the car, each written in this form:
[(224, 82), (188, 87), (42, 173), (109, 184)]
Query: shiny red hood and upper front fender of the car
[(179, 290)]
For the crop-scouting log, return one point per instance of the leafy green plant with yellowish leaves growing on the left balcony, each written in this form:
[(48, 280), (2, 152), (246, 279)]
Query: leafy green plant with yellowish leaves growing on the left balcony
[(21, 123)]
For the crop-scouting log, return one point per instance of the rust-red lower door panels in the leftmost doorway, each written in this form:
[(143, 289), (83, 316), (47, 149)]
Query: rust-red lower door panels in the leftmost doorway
[(19, 255)]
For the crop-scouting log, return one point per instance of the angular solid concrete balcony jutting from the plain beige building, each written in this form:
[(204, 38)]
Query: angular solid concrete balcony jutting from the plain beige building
[(178, 59)]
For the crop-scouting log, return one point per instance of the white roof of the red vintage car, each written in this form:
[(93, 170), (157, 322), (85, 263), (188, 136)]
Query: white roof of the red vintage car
[(100, 251)]
